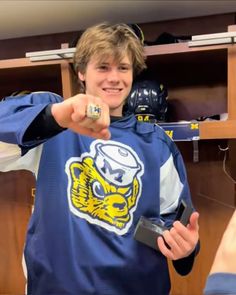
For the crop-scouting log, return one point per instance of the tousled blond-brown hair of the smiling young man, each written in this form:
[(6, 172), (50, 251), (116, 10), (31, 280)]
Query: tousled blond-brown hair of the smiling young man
[(105, 40)]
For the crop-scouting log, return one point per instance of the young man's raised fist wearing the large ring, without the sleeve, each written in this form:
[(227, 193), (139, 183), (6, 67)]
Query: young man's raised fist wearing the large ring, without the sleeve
[(72, 114)]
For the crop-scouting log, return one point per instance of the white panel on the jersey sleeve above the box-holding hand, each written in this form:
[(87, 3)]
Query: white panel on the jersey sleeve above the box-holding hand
[(170, 187)]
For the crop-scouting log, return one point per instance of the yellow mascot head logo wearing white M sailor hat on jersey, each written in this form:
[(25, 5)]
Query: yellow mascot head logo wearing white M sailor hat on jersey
[(104, 185)]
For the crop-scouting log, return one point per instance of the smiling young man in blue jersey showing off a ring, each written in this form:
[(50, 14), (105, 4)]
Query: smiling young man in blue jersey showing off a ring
[(97, 174)]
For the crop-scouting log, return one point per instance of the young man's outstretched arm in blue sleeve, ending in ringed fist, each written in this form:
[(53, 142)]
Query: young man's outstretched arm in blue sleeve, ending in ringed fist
[(19, 115)]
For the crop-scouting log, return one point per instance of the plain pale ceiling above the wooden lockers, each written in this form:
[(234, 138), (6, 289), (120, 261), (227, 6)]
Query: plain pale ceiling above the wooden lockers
[(30, 18)]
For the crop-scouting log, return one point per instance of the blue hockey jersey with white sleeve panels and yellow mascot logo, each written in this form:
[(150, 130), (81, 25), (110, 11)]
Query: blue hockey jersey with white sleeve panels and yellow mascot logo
[(90, 195)]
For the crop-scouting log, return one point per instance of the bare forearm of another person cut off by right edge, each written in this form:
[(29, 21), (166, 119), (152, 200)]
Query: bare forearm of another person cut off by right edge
[(226, 254)]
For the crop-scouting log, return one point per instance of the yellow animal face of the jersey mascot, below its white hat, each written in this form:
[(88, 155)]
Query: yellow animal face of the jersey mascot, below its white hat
[(97, 199)]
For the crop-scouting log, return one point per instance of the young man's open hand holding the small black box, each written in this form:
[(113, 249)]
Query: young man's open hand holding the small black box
[(180, 240)]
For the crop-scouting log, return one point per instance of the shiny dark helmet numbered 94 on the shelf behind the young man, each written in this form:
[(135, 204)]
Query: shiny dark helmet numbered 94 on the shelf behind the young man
[(148, 101)]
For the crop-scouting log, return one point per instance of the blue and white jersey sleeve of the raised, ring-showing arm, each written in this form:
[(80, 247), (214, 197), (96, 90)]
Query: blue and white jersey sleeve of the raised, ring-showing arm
[(17, 115)]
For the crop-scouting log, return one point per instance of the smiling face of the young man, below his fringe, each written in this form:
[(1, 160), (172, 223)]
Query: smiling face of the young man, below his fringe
[(109, 80)]
